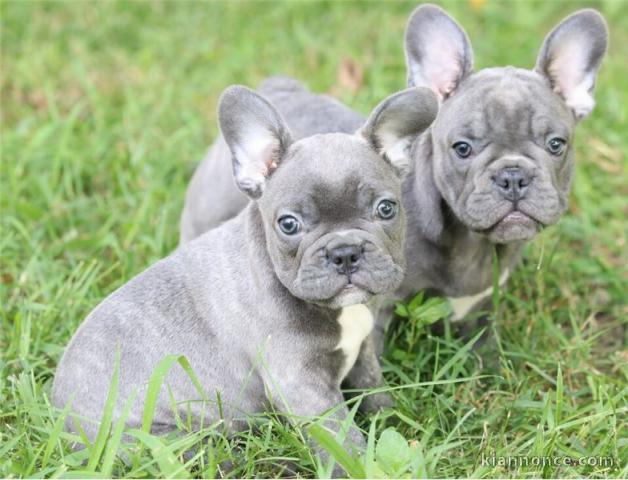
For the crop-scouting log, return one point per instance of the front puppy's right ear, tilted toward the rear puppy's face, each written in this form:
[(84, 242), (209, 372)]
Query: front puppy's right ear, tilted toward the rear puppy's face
[(397, 121)]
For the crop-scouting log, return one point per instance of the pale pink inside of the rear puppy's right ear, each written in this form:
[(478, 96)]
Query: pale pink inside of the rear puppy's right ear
[(571, 79)]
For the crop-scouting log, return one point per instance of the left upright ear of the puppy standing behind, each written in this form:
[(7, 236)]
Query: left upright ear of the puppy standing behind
[(438, 51)]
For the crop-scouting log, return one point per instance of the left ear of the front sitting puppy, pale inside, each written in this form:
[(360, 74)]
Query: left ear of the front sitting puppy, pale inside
[(256, 134)]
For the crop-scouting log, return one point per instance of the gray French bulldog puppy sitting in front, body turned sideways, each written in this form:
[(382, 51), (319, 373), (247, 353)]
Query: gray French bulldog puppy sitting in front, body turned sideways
[(272, 306)]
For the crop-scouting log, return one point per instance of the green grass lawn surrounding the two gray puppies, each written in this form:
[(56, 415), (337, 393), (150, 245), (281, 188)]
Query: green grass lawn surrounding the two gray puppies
[(106, 110)]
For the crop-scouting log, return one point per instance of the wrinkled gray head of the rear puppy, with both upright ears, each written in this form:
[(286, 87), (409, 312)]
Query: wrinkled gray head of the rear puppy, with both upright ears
[(501, 149)]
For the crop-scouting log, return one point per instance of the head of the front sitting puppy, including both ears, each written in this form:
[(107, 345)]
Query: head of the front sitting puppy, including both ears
[(330, 203)]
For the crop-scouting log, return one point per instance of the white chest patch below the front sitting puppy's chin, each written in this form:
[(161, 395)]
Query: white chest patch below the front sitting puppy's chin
[(356, 322)]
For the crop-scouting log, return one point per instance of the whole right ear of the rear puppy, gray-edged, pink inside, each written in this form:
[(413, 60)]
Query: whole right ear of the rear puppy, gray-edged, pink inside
[(570, 58)]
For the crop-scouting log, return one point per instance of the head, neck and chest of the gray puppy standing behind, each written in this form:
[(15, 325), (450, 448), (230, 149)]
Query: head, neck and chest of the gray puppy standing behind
[(496, 166)]
